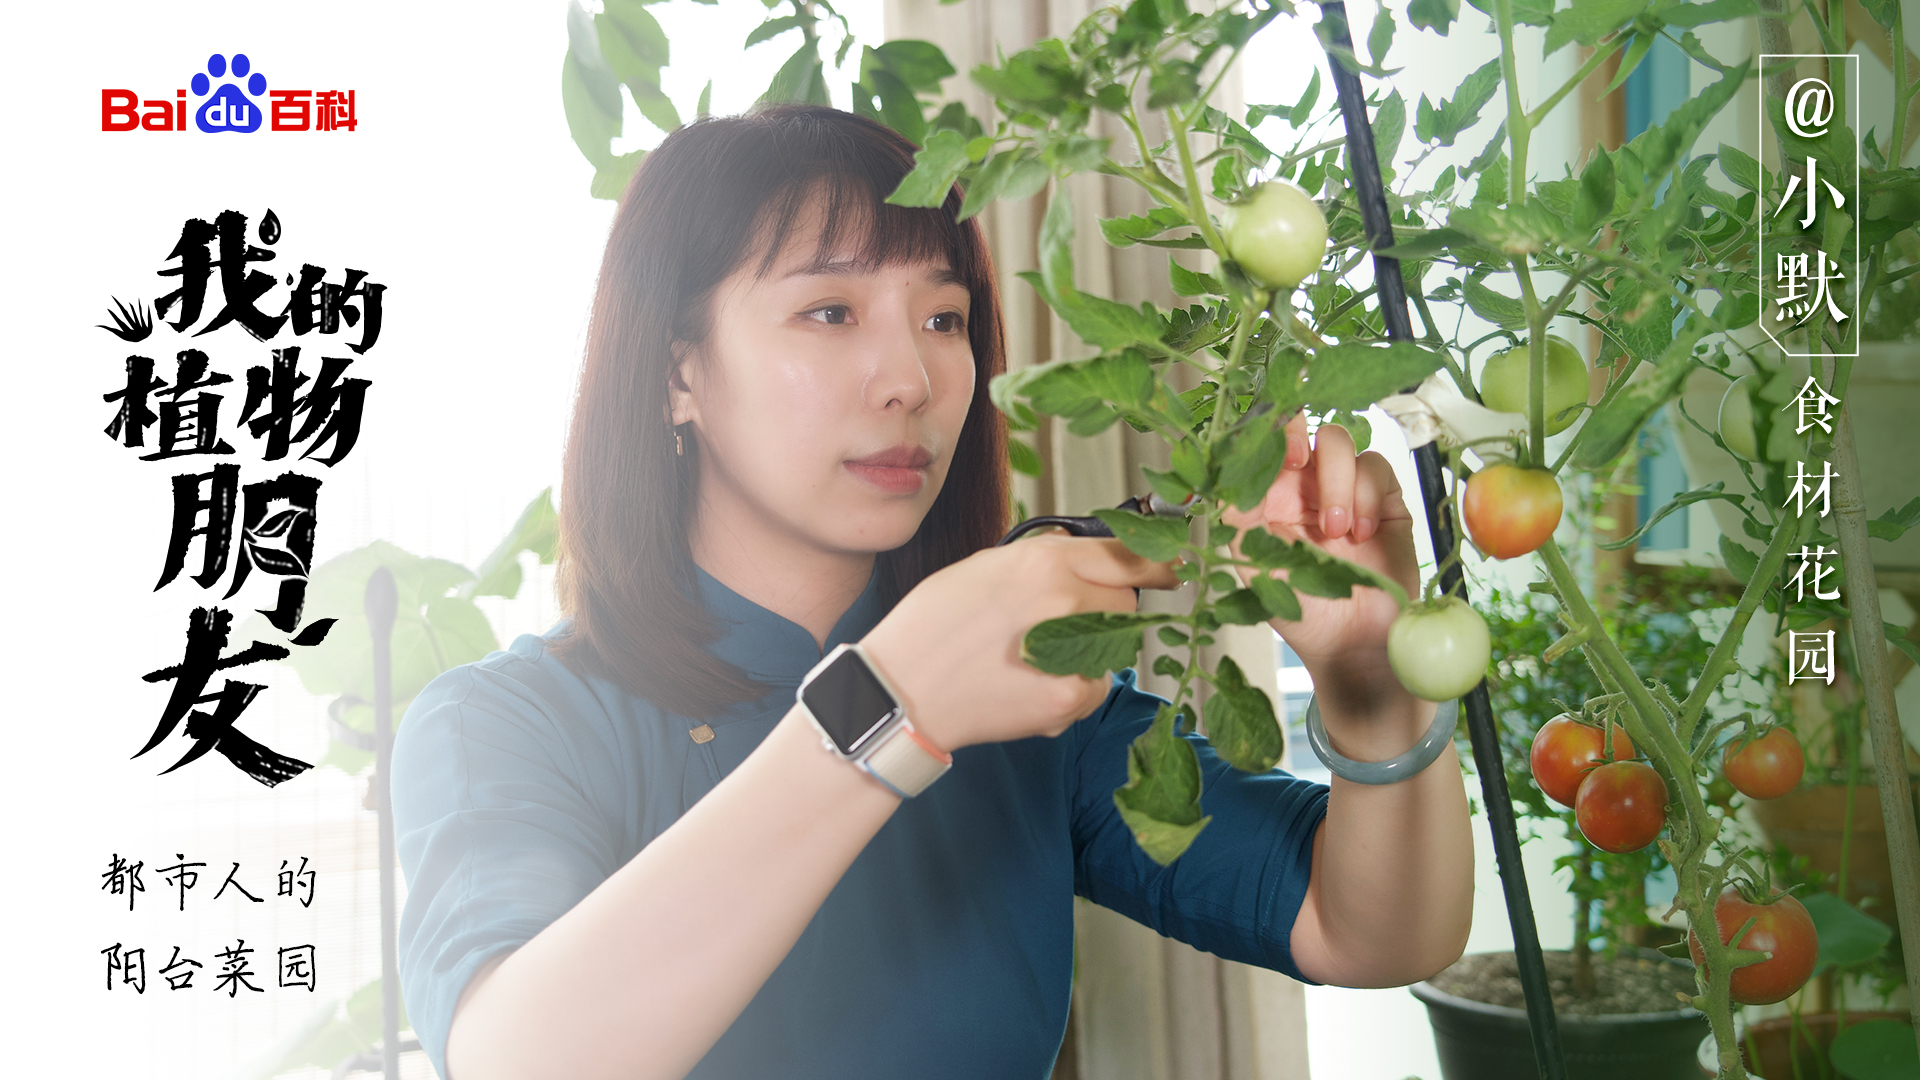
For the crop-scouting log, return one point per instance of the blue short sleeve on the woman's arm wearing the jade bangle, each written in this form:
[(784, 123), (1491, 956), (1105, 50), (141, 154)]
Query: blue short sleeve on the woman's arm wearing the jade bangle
[(1239, 887)]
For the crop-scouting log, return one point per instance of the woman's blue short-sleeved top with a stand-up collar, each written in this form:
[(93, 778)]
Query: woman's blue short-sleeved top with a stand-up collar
[(946, 950)]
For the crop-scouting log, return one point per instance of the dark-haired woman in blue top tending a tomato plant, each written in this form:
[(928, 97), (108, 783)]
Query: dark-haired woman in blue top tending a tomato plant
[(629, 852)]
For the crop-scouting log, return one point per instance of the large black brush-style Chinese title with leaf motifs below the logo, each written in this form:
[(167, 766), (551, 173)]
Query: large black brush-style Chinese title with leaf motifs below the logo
[(287, 408)]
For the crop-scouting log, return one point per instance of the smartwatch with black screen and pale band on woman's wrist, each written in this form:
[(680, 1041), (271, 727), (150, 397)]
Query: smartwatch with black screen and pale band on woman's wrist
[(863, 722)]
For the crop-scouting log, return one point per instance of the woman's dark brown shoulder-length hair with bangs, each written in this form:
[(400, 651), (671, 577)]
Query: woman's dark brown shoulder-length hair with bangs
[(706, 201)]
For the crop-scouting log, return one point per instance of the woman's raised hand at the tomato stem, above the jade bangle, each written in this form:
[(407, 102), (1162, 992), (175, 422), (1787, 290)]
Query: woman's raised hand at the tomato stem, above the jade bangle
[(1351, 506)]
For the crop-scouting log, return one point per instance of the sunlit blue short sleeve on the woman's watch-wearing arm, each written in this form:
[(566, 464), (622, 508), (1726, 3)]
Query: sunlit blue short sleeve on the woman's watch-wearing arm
[(494, 831)]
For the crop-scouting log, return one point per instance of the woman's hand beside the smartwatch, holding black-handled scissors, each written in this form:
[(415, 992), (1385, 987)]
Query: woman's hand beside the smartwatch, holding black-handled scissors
[(951, 647)]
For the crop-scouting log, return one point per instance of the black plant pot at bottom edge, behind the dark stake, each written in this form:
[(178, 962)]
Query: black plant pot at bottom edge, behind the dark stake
[(1493, 1043)]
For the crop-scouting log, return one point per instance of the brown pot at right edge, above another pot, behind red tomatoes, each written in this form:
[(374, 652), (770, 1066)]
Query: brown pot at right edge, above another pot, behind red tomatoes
[(1810, 823)]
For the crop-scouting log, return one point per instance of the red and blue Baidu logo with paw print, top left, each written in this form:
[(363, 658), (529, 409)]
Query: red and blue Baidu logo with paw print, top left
[(237, 99)]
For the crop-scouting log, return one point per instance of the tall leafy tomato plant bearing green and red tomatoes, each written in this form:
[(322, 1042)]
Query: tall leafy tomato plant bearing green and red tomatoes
[(1652, 247)]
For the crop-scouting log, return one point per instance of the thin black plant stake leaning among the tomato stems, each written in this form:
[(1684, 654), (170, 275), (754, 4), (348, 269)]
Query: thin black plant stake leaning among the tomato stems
[(1366, 172)]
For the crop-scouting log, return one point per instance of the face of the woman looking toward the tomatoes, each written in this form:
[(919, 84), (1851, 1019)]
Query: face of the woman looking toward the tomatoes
[(827, 401)]
